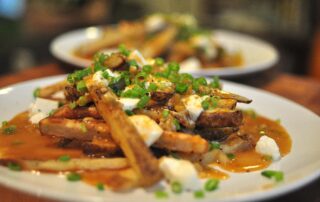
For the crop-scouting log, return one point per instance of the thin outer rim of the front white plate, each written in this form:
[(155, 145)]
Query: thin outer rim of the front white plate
[(265, 194)]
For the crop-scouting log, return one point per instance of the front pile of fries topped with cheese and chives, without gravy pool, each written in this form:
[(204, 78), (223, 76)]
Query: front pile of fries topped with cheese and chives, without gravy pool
[(102, 105)]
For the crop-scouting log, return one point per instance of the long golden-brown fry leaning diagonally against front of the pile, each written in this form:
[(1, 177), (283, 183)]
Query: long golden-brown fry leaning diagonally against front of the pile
[(125, 134)]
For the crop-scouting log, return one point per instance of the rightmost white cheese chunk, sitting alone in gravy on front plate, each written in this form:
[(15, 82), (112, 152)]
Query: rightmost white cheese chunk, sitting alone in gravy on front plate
[(267, 146)]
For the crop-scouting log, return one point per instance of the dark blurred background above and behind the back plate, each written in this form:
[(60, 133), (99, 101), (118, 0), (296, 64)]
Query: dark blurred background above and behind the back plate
[(292, 26)]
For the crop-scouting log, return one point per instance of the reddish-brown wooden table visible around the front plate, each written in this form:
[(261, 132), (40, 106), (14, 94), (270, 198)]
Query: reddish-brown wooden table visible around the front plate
[(302, 90)]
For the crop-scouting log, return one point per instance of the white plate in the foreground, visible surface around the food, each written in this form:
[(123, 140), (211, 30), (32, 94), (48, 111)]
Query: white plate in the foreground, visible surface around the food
[(301, 166)]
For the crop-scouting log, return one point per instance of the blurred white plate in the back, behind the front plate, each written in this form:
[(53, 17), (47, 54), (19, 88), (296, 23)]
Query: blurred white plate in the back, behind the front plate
[(258, 55)]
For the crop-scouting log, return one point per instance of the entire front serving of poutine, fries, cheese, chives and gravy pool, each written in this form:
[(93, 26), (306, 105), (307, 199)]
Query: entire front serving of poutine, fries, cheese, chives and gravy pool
[(127, 122)]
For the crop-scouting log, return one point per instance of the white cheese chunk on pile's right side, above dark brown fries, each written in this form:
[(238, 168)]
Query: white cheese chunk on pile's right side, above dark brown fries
[(193, 105)]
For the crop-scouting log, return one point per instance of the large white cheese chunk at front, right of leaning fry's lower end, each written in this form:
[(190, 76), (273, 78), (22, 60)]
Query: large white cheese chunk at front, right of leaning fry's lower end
[(182, 171)]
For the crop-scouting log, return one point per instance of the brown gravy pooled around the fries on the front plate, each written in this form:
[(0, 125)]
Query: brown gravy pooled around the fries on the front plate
[(28, 144)]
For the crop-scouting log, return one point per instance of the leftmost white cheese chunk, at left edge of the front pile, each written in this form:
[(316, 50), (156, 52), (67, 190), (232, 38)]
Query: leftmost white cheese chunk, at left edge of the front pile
[(41, 109)]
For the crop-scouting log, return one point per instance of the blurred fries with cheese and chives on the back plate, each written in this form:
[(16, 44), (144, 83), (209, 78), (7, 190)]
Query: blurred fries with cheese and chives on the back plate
[(174, 37)]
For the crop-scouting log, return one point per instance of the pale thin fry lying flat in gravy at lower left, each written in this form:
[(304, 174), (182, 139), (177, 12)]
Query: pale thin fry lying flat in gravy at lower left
[(75, 164)]
